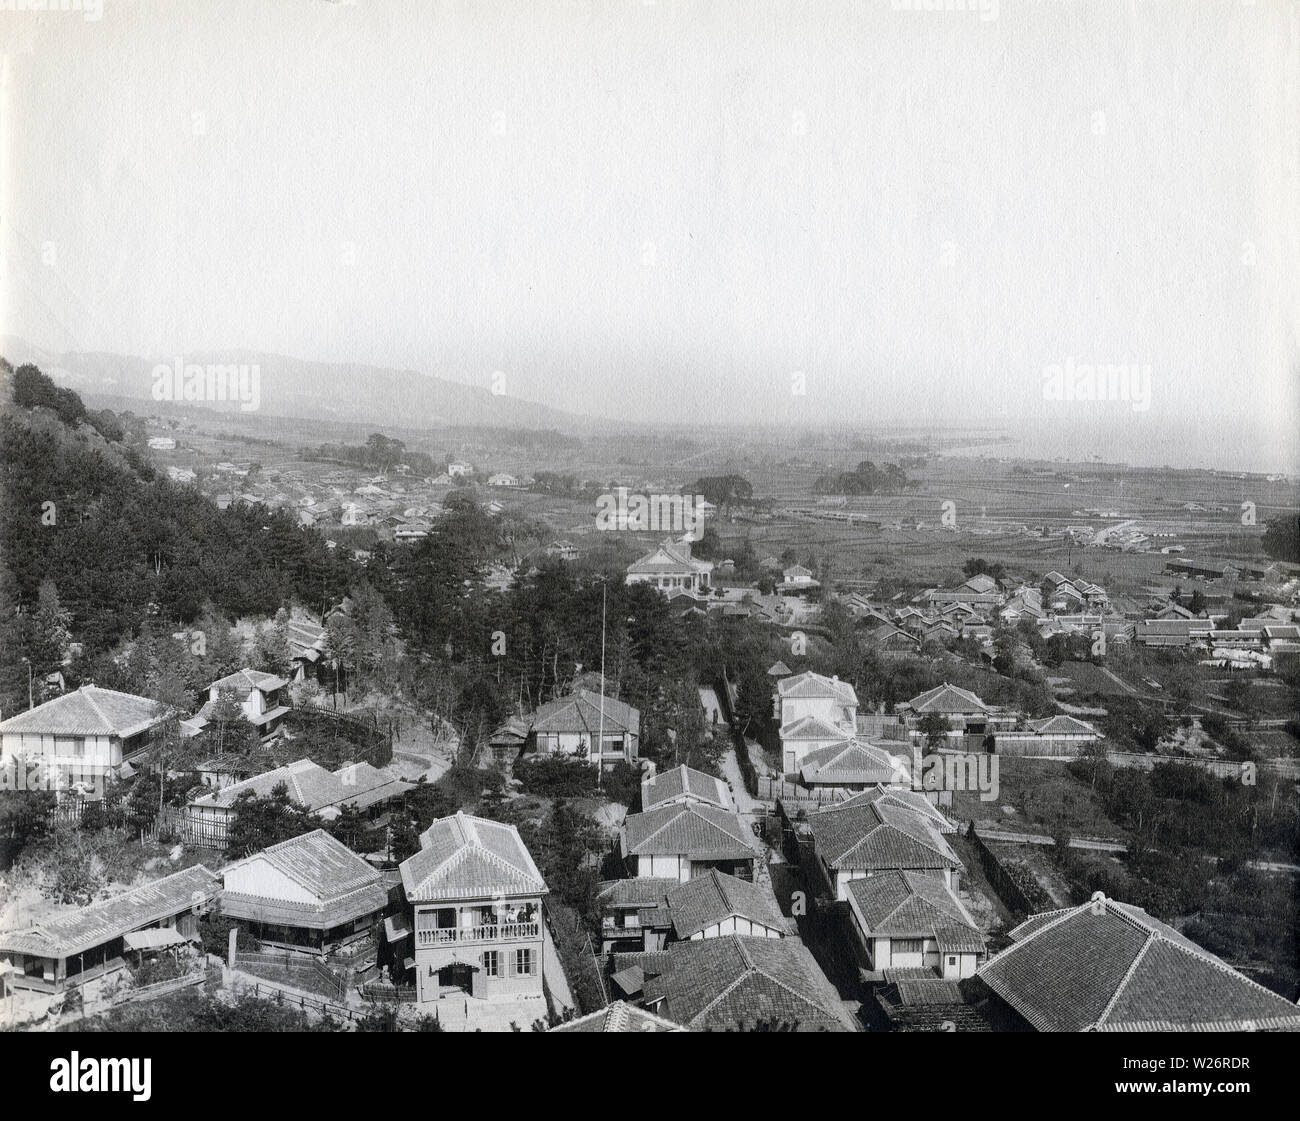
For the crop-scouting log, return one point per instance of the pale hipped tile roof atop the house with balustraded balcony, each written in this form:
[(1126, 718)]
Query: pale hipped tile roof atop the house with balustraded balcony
[(469, 858)]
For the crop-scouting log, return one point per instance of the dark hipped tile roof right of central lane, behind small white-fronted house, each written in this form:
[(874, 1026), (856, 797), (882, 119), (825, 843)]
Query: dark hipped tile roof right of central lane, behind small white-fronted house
[(879, 837)]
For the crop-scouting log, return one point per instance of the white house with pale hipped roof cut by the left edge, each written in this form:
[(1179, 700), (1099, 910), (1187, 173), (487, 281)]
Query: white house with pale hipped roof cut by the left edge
[(80, 739)]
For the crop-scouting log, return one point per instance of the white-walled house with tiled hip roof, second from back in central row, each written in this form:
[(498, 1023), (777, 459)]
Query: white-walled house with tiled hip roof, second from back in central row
[(681, 841)]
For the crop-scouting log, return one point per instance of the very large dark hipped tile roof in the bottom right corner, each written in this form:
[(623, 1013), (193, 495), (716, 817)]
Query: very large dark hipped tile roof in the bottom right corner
[(1111, 967)]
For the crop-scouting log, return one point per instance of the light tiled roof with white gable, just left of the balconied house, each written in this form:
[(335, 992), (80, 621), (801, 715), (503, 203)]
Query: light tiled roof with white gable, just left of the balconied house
[(343, 886)]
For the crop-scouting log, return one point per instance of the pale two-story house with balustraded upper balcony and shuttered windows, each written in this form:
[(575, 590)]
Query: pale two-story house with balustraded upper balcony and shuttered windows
[(476, 897)]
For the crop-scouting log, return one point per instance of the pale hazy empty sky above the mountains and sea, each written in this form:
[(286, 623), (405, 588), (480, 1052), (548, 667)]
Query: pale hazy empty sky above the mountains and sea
[(668, 210)]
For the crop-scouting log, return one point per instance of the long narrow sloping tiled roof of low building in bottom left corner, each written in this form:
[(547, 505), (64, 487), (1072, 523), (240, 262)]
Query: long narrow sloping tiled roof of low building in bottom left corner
[(111, 919)]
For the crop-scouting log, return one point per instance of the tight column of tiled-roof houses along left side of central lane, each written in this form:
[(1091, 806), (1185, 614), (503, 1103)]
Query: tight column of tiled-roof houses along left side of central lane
[(694, 936)]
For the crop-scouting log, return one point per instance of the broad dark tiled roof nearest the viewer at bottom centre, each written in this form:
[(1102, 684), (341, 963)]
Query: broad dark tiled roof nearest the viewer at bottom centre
[(733, 984)]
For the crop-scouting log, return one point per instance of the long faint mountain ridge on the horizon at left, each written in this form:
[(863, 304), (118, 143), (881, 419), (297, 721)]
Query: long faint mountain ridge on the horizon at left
[(296, 388)]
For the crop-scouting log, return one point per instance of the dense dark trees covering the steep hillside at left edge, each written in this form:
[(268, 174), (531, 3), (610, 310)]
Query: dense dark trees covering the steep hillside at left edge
[(120, 548)]
